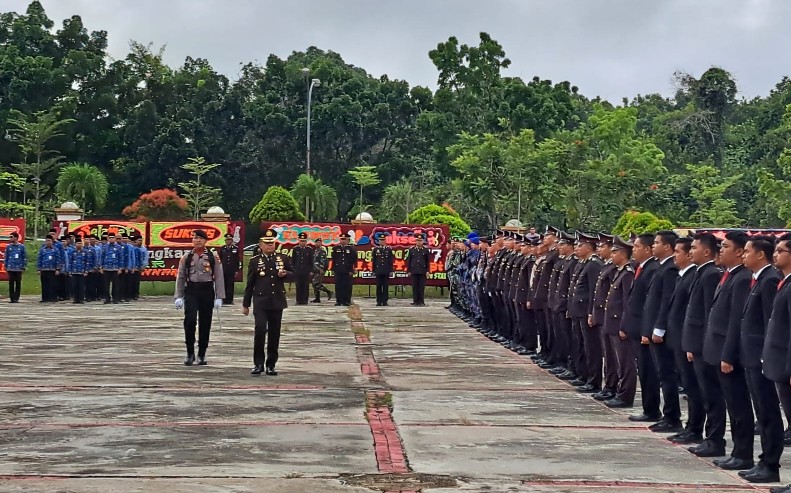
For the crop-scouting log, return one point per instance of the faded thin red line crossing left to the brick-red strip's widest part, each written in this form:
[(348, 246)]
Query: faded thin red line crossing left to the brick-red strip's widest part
[(168, 424)]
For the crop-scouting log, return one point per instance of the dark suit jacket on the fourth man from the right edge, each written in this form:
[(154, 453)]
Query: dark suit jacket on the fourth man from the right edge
[(701, 295)]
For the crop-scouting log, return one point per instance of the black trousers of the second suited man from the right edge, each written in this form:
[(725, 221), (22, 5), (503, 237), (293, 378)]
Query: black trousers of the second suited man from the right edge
[(770, 419)]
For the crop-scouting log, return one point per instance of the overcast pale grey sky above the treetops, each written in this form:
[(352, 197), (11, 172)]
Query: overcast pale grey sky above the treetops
[(611, 48)]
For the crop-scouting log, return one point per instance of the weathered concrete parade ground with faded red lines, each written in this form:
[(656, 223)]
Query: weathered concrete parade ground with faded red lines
[(397, 399)]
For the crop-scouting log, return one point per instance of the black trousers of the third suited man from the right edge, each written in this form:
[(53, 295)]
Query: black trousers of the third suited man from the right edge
[(740, 411)]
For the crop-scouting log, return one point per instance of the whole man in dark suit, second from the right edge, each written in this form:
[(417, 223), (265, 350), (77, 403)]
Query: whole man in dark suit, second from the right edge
[(754, 322)]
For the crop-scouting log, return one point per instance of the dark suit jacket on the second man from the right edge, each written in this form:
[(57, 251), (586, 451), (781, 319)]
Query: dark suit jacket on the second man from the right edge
[(755, 317)]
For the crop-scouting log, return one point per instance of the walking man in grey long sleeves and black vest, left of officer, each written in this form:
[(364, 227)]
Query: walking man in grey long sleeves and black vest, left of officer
[(200, 288)]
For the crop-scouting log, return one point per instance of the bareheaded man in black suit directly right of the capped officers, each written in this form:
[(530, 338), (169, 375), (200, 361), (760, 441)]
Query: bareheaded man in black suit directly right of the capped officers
[(646, 269)]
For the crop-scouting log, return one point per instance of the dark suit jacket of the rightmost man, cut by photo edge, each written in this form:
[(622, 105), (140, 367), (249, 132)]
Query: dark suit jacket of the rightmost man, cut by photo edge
[(777, 364)]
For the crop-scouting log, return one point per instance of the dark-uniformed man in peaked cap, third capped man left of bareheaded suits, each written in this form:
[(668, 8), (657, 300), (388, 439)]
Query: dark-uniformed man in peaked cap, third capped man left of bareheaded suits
[(580, 299)]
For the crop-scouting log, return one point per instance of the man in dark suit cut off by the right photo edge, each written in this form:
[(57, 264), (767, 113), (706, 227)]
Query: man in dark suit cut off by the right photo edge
[(776, 360)]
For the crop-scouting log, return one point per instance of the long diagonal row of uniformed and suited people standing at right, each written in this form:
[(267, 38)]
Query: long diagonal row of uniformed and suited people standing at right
[(602, 313)]
